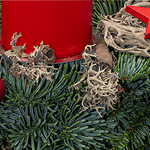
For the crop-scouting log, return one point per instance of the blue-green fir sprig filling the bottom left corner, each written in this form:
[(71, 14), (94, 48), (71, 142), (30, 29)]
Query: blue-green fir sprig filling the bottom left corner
[(27, 127)]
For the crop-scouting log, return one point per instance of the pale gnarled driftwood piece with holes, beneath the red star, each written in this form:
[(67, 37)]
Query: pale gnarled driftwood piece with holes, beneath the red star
[(124, 32)]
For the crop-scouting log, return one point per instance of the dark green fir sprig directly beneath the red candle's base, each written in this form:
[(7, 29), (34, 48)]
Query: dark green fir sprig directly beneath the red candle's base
[(21, 91)]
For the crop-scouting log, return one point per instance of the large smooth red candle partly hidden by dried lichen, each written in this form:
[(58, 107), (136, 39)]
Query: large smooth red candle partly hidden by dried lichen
[(64, 25)]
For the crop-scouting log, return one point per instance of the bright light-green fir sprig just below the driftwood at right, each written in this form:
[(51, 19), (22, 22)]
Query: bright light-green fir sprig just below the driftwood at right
[(131, 68)]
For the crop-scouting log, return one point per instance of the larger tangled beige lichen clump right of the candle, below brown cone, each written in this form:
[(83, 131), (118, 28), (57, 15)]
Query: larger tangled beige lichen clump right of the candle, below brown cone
[(103, 89)]
